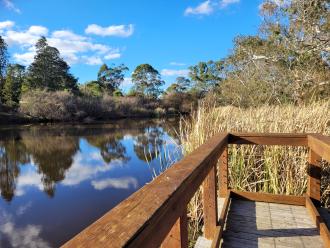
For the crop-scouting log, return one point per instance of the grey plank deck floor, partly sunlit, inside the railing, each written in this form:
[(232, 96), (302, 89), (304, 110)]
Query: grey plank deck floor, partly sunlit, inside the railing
[(262, 224)]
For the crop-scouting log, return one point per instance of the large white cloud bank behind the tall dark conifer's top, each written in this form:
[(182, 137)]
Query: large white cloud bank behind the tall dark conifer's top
[(74, 48)]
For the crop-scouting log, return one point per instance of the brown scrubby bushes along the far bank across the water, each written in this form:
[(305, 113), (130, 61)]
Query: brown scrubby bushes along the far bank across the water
[(62, 106)]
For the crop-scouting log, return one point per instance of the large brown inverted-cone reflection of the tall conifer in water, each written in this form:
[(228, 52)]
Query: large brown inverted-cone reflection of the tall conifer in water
[(54, 156)]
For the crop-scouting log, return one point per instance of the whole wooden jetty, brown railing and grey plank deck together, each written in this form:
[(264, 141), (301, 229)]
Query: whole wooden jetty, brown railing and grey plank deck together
[(156, 215)]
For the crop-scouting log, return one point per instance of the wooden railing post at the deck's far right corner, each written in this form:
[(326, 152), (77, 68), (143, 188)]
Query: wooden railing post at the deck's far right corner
[(314, 177)]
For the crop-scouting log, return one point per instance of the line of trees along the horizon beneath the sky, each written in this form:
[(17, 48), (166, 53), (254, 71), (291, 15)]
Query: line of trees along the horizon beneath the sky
[(286, 62)]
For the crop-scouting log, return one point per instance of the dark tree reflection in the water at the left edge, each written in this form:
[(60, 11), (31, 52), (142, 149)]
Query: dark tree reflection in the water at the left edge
[(12, 154)]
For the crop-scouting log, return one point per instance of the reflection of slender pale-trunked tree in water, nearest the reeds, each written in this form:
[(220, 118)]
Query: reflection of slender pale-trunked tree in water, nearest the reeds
[(148, 143)]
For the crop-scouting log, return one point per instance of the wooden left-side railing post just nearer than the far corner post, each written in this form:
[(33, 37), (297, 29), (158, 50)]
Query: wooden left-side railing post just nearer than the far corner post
[(210, 206)]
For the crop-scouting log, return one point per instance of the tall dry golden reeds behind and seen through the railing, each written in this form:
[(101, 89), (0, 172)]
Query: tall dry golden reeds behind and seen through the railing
[(272, 169)]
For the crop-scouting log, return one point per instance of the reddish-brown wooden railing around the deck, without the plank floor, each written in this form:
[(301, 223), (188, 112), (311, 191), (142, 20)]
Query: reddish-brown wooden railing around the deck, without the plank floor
[(156, 215)]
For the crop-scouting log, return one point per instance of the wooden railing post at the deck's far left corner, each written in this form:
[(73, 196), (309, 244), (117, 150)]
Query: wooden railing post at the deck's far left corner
[(223, 173)]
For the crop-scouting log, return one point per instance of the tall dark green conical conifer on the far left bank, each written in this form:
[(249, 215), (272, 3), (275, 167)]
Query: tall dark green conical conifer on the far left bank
[(49, 71)]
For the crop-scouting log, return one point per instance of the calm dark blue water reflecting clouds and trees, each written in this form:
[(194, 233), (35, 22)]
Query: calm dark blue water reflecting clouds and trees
[(56, 180)]
